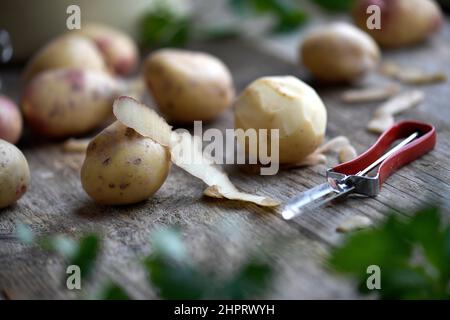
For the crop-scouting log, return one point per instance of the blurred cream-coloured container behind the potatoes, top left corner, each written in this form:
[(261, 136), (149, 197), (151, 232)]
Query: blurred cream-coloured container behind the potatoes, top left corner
[(32, 23)]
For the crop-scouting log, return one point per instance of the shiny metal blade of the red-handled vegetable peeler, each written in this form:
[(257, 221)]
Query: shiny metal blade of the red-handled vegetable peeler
[(314, 198)]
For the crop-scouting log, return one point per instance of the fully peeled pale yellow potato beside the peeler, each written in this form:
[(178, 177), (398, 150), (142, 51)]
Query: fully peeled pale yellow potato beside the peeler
[(287, 104)]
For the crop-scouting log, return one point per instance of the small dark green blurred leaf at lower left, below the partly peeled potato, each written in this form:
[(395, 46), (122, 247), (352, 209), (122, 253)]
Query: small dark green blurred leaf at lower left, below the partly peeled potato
[(86, 254)]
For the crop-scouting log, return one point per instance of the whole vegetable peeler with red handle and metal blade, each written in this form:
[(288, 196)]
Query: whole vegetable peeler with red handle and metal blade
[(353, 177)]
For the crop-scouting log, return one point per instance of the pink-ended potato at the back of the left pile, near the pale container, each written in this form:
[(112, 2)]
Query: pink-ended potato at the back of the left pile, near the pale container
[(118, 49)]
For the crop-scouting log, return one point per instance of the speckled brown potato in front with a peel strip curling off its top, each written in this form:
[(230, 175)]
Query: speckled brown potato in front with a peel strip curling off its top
[(123, 167)]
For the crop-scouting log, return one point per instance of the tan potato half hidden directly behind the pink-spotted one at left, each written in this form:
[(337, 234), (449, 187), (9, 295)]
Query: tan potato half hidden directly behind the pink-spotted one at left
[(67, 51)]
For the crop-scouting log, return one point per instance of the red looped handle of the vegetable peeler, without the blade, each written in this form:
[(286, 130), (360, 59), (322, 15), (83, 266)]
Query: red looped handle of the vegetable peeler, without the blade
[(412, 151)]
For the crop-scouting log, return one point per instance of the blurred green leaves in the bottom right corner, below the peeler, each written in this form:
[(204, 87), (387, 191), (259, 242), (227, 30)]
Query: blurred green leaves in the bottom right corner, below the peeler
[(413, 255)]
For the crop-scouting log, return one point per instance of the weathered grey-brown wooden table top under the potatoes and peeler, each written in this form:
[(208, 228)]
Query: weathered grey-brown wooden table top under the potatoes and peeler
[(219, 234)]
